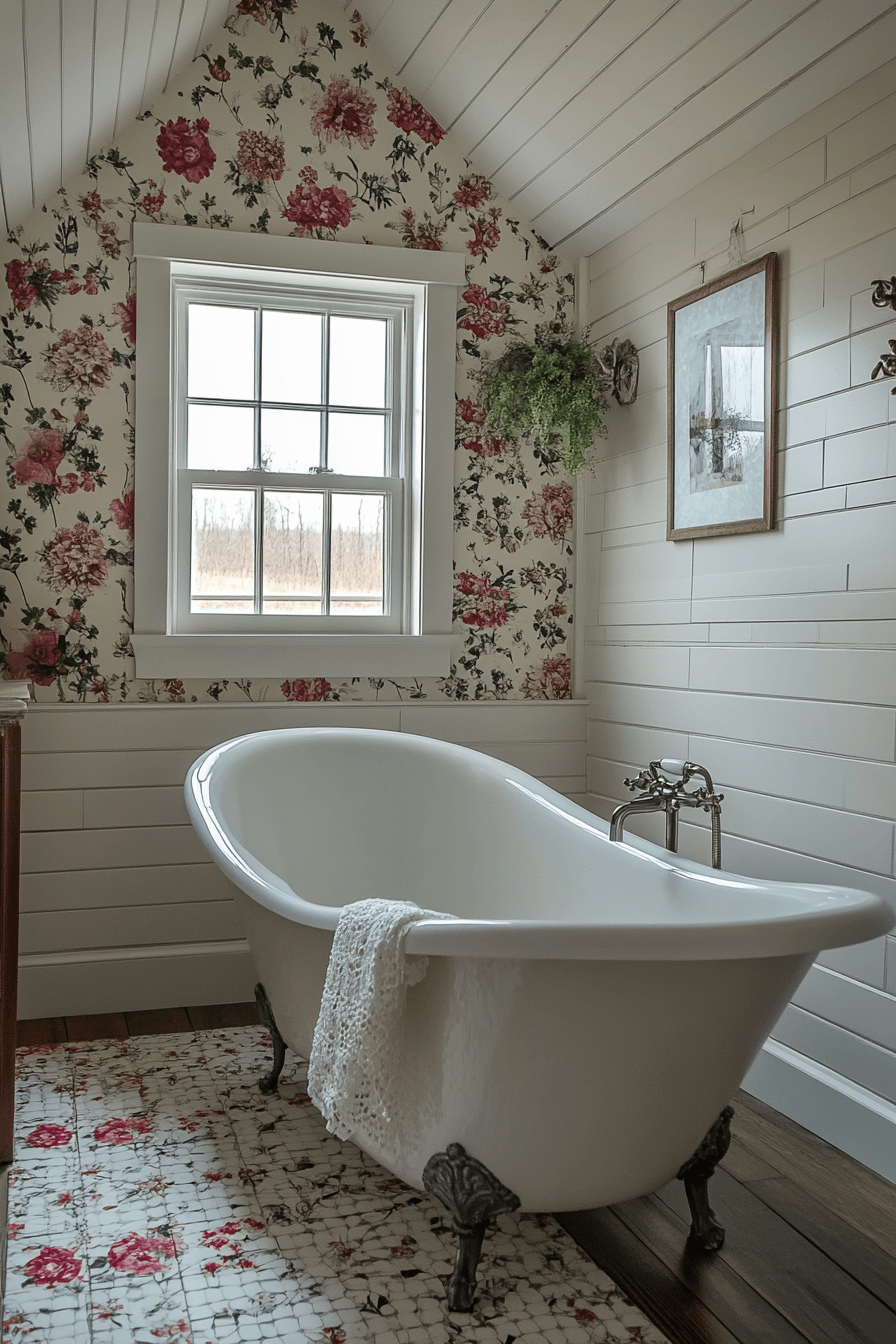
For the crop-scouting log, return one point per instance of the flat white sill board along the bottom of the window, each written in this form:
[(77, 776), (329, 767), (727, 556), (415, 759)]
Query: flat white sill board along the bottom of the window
[(291, 655)]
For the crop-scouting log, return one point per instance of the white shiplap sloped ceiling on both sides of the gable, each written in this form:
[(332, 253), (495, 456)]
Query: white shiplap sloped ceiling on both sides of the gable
[(588, 115)]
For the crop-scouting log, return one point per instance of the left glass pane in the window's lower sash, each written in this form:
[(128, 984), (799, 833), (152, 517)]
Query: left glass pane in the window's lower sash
[(224, 544)]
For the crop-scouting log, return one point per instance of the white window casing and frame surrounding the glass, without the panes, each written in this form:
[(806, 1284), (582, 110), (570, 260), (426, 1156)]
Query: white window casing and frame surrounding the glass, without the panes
[(416, 639)]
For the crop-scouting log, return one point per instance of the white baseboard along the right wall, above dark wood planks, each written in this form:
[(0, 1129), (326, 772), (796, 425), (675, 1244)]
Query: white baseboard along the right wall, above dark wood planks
[(851, 1118)]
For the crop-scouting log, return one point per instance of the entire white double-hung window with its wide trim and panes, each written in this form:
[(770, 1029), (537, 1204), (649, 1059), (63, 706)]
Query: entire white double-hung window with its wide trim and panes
[(295, 442)]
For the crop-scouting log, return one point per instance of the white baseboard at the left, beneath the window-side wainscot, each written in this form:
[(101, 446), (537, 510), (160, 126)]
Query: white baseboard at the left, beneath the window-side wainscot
[(71, 984)]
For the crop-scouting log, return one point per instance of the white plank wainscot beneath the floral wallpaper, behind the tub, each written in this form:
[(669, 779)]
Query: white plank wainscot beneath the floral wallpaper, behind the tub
[(122, 908)]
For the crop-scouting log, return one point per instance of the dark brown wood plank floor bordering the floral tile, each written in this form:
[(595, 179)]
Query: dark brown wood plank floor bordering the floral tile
[(811, 1247)]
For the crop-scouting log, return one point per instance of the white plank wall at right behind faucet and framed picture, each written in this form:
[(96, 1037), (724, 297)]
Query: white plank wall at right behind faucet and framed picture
[(772, 659)]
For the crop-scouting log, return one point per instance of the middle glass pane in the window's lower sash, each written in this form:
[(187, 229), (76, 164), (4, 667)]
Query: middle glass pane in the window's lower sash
[(294, 545)]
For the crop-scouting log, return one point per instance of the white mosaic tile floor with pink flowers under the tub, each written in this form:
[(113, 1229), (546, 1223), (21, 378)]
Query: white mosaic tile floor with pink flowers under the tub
[(156, 1195)]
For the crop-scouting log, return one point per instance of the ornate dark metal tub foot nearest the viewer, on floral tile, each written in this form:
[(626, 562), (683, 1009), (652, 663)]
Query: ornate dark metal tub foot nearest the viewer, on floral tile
[(474, 1197)]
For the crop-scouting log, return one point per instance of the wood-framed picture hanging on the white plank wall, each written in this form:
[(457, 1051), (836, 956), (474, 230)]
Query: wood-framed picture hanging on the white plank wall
[(723, 364)]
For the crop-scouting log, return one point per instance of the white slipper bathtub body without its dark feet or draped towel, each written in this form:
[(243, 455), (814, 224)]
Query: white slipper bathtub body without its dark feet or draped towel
[(594, 1007)]
